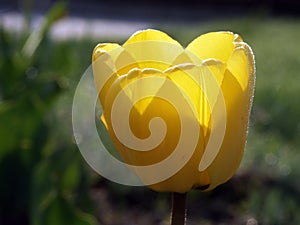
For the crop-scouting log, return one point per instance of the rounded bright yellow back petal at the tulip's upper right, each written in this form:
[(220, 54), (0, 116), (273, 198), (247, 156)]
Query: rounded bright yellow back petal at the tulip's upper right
[(217, 45)]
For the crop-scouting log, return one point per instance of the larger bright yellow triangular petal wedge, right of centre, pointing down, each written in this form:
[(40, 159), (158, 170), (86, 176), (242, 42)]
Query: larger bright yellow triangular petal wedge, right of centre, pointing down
[(200, 86)]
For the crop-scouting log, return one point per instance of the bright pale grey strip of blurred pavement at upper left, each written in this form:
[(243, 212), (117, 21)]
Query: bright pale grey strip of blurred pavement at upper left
[(76, 27)]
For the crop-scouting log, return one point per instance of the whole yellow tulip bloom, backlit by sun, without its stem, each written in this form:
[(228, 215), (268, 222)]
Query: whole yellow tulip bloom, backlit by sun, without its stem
[(159, 98)]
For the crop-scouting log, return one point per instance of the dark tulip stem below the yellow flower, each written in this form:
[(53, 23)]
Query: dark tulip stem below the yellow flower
[(178, 214)]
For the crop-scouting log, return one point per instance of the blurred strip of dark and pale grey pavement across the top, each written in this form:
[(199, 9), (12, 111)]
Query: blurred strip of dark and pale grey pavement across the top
[(119, 18)]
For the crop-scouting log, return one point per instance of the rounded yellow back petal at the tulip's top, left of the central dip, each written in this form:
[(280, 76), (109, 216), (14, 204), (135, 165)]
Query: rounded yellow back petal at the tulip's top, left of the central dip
[(153, 49)]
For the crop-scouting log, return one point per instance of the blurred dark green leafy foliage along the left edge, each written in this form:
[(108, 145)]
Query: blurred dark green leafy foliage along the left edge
[(43, 178)]
